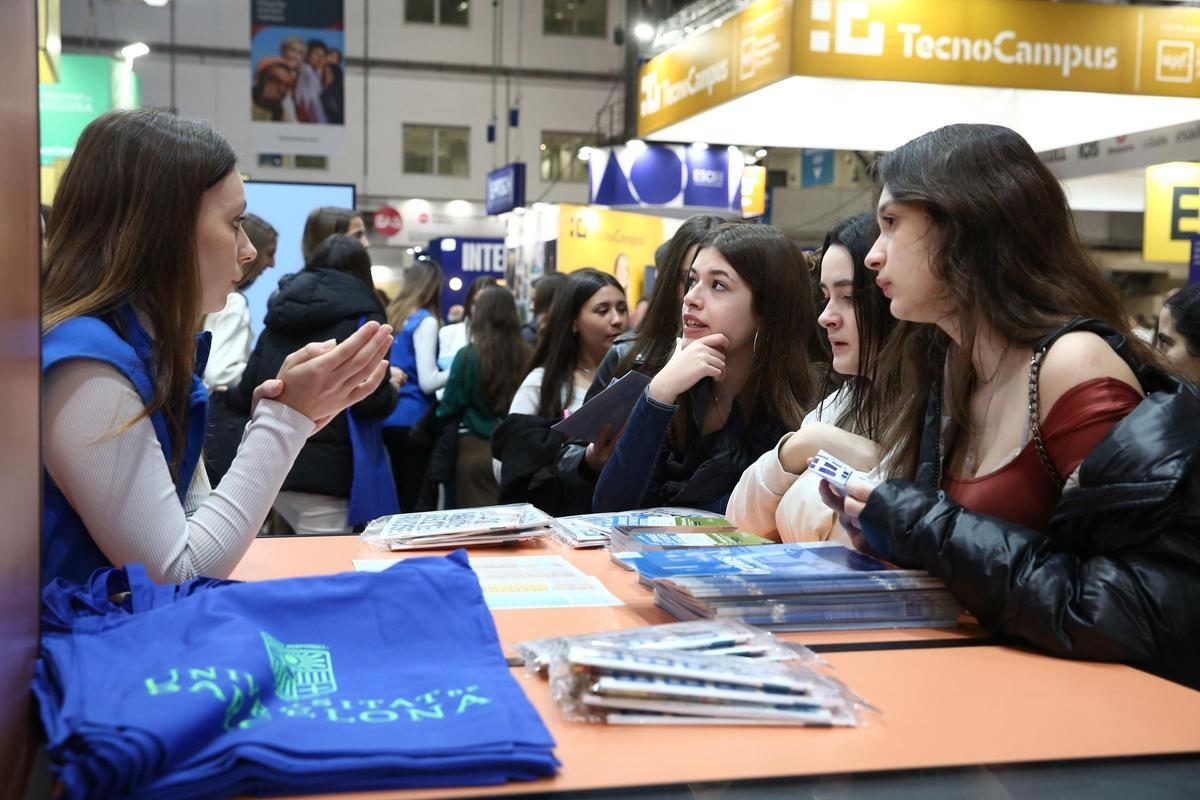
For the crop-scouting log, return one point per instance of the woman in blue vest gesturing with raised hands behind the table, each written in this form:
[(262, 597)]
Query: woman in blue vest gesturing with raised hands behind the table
[(147, 239)]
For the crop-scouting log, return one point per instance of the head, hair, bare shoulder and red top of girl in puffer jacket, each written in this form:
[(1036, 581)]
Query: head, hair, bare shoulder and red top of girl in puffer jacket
[(977, 242)]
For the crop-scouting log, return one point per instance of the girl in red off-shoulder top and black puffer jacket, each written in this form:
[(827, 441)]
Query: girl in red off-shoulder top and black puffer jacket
[(1051, 462)]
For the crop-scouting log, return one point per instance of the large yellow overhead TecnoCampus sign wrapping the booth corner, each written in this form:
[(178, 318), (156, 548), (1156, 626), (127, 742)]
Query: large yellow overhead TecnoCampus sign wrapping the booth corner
[(1006, 44)]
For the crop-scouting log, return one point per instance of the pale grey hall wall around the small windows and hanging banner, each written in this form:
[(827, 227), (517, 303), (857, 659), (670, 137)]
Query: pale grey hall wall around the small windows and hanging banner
[(218, 88)]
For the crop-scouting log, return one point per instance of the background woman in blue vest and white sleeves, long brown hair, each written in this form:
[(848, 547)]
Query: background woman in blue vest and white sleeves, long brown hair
[(415, 316)]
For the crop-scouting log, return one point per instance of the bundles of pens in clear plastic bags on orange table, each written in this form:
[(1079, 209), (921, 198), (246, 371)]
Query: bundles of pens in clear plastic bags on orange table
[(692, 673)]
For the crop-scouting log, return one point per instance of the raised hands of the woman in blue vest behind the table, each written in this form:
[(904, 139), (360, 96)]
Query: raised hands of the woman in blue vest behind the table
[(323, 378)]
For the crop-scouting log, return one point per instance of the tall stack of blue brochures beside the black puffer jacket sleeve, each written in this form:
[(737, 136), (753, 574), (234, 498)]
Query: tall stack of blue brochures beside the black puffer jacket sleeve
[(796, 587)]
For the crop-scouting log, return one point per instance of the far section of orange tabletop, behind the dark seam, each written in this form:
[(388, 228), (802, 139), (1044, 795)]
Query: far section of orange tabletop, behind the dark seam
[(287, 557)]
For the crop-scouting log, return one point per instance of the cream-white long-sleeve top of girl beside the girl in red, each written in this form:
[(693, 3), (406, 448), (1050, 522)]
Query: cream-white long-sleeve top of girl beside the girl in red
[(771, 502)]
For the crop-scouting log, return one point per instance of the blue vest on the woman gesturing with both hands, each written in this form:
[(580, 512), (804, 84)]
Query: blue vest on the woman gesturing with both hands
[(68, 549)]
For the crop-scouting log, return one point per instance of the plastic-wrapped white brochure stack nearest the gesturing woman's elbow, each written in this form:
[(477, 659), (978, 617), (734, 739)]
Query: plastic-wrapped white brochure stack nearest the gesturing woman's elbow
[(458, 528)]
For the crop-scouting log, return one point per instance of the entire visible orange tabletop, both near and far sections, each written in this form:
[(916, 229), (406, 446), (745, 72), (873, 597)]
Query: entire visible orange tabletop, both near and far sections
[(941, 707)]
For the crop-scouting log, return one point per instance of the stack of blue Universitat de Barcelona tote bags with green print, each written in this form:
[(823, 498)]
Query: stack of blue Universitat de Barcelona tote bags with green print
[(335, 683)]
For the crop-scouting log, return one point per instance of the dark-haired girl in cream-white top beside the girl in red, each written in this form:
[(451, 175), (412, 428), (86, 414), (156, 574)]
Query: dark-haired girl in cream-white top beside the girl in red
[(777, 497)]
